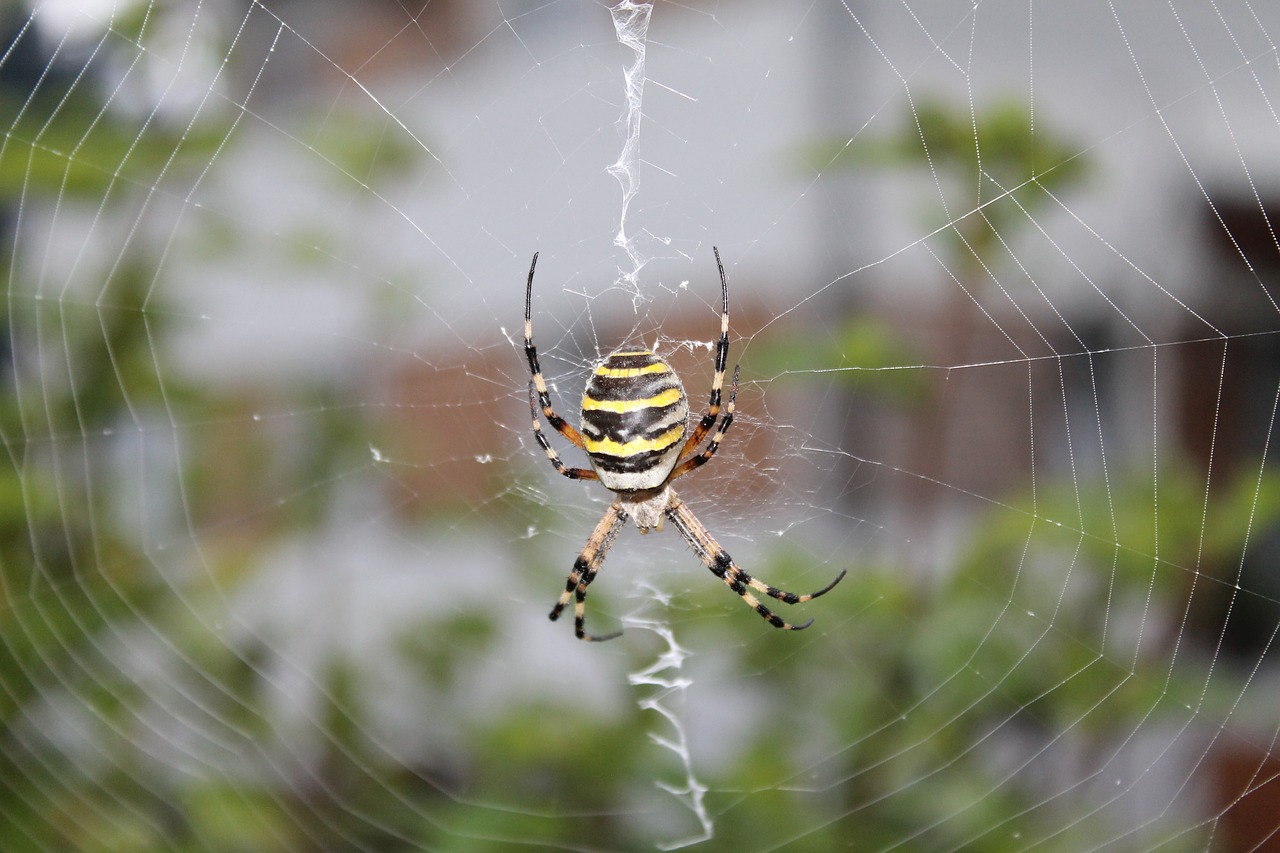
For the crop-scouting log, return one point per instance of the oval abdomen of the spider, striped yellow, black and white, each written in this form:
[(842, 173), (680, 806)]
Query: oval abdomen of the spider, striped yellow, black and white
[(634, 416)]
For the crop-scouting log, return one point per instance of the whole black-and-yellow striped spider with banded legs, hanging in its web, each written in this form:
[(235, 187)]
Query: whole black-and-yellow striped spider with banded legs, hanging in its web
[(634, 422)]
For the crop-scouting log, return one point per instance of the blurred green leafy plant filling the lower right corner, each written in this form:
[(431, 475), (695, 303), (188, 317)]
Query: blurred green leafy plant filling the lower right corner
[(1049, 645)]
